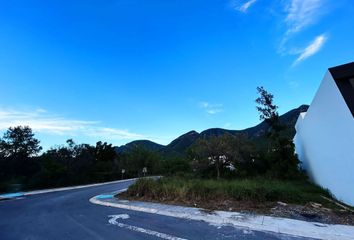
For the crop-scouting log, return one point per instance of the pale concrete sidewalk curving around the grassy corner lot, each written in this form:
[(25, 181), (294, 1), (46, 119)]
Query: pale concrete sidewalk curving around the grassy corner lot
[(222, 218)]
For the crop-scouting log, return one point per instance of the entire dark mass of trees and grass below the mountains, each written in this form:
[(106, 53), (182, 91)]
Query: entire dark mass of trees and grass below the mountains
[(230, 171)]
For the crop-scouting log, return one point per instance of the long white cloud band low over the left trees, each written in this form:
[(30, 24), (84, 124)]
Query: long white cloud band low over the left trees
[(43, 122)]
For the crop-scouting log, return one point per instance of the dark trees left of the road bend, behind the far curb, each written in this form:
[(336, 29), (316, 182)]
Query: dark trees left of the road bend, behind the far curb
[(23, 166)]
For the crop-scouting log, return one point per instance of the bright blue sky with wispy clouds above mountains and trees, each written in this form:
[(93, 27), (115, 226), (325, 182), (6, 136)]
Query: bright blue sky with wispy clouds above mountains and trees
[(134, 69)]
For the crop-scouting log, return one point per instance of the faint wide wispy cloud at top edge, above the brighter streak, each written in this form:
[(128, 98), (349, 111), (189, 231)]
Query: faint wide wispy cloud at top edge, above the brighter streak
[(301, 13)]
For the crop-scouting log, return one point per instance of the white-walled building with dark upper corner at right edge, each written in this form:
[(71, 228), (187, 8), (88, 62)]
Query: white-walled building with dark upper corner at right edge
[(324, 137)]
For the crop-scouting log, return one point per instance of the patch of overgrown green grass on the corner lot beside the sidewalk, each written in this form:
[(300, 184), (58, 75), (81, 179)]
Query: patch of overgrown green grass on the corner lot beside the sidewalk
[(200, 191)]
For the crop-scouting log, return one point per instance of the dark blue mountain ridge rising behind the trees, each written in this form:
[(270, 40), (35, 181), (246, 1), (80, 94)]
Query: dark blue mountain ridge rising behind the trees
[(179, 146)]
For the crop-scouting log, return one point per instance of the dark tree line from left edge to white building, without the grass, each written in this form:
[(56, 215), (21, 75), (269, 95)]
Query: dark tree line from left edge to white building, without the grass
[(24, 165)]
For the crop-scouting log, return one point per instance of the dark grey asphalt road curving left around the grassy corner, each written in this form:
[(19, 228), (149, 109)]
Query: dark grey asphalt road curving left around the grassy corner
[(70, 215)]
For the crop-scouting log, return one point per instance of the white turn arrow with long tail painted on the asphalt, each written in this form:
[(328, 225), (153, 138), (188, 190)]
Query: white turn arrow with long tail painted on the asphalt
[(113, 220)]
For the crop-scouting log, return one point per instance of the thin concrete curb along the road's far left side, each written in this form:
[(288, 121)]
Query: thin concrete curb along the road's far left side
[(21, 194)]
